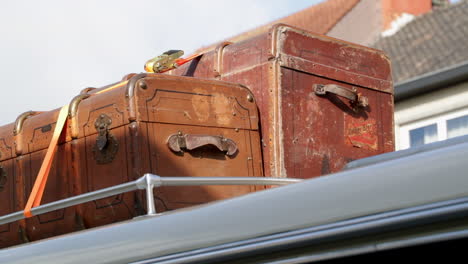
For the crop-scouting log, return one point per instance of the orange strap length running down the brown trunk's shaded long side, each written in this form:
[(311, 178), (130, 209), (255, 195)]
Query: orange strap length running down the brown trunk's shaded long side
[(41, 180)]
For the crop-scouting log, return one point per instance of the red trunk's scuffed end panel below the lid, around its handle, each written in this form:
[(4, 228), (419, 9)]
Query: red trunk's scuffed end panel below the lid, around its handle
[(325, 132)]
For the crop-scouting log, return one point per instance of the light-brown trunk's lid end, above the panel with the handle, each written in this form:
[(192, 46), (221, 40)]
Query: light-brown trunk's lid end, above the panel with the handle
[(197, 102)]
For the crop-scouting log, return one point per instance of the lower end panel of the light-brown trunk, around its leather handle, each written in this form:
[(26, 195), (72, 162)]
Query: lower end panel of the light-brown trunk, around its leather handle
[(203, 161)]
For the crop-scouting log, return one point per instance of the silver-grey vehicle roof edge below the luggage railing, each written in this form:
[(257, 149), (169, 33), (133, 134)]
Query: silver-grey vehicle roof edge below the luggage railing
[(421, 179)]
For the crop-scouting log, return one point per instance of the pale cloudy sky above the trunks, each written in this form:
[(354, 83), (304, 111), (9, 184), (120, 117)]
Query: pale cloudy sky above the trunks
[(50, 50)]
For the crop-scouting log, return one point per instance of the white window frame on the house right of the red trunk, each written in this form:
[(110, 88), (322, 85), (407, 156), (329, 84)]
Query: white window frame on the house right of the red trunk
[(439, 120)]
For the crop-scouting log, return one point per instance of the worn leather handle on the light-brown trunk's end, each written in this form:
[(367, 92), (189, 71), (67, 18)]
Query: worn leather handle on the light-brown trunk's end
[(179, 142)]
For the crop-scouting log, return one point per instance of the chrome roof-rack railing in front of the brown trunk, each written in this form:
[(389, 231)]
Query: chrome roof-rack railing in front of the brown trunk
[(148, 182)]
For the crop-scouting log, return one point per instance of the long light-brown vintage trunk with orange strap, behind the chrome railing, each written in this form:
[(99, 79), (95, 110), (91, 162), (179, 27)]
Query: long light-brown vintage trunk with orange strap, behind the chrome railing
[(117, 134)]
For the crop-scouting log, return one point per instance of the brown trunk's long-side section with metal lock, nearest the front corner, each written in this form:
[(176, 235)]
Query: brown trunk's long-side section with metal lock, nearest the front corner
[(105, 162)]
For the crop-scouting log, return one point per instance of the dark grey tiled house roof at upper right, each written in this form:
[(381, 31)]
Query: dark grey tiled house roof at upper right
[(435, 40)]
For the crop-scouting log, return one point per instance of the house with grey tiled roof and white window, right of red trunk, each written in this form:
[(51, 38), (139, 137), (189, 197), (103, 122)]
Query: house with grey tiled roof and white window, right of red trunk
[(430, 70)]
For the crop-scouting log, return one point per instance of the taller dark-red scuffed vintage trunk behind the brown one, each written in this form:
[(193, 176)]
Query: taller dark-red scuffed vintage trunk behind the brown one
[(301, 81)]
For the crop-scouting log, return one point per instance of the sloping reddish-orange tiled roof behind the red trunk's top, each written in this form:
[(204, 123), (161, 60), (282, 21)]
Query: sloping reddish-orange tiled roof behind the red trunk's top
[(318, 18)]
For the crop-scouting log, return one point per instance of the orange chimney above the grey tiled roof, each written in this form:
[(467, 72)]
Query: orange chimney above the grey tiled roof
[(393, 9)]
